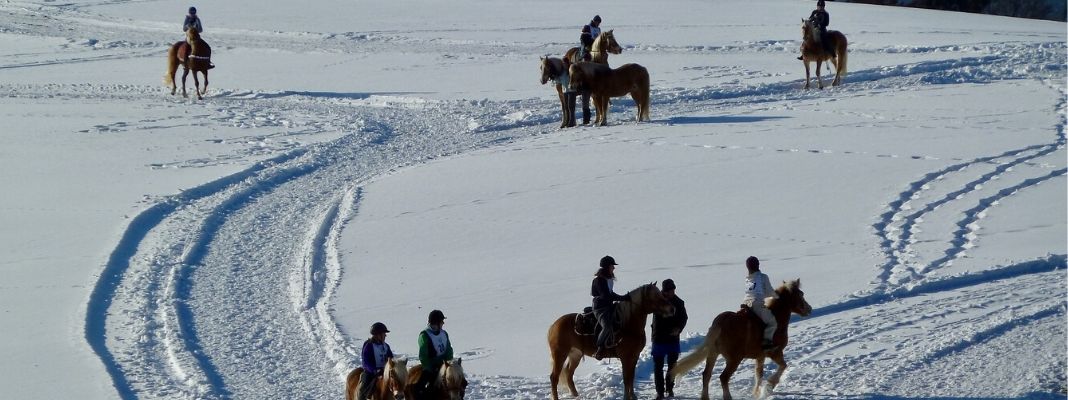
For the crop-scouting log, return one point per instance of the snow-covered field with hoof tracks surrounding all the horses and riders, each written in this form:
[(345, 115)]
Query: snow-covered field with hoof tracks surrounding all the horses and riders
[(359, 162)]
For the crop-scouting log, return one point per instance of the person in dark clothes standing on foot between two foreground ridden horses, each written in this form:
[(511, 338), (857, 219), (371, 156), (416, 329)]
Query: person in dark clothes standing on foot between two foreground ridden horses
[(666, 343)]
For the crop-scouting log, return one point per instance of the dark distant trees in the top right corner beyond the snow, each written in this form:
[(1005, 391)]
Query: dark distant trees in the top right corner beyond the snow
[(1054, 10)]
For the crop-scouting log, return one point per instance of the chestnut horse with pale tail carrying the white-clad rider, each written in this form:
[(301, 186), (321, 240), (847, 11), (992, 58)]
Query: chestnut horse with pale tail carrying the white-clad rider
[(737, 337)]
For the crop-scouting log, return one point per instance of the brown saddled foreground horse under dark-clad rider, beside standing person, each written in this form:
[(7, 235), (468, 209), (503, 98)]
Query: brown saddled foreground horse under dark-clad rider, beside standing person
[(567, 345)]
